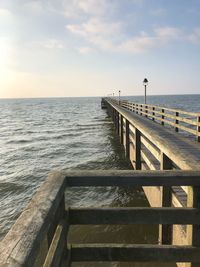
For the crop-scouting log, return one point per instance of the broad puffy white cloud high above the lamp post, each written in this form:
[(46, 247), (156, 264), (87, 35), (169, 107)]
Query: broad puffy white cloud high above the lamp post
[(110, 36)]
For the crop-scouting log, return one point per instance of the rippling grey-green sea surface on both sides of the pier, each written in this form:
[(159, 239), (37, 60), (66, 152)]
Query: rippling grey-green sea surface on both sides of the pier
[(41, 135)]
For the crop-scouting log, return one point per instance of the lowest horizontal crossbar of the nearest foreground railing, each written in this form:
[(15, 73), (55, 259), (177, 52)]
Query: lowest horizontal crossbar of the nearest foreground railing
[(134, 253)]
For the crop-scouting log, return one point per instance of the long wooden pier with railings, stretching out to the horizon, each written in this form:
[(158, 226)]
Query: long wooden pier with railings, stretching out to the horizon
[(166, 164)]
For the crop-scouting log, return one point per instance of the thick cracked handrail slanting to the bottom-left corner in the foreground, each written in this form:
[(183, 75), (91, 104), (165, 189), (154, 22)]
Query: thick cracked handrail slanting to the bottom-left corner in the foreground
[(21, 245)]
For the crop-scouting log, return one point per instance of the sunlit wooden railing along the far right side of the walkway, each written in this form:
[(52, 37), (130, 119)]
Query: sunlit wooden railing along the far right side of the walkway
[(180, 120)]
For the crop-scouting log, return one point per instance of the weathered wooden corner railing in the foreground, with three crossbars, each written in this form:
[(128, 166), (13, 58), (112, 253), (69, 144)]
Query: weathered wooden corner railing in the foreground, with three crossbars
[(39, 236)]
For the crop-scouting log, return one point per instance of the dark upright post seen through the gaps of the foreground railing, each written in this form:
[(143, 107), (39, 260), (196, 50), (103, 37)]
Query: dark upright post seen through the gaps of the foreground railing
[(165, 231)]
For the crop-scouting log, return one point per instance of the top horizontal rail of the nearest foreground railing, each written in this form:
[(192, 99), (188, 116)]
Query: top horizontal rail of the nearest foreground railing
[(132, 178)]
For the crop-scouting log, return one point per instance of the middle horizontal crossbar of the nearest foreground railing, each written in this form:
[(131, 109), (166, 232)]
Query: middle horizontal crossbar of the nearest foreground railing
[(129, 215)]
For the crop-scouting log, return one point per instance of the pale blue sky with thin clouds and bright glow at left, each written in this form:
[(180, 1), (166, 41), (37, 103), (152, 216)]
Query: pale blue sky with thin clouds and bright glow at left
[(65, 48)]
